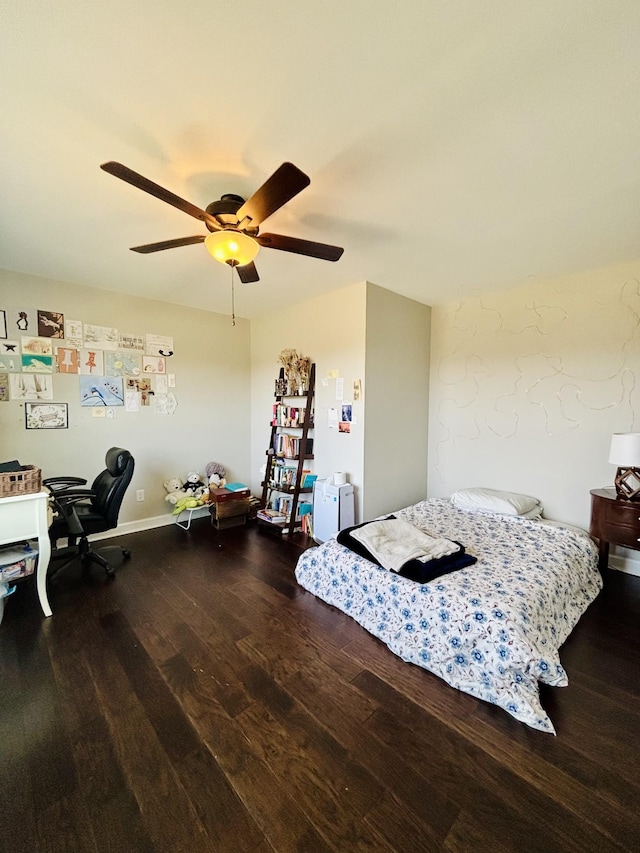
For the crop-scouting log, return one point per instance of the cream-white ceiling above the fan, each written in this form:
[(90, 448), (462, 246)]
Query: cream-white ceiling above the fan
[(451, 146)]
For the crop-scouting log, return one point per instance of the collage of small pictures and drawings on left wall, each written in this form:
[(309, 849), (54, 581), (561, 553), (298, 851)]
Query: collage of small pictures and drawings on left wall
[(115, 369)]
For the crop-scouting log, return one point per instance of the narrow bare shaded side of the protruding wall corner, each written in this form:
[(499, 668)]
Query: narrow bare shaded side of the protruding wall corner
[(397, 401)]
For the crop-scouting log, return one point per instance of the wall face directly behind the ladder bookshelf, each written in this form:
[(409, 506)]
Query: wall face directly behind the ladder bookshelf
[(330, 329)]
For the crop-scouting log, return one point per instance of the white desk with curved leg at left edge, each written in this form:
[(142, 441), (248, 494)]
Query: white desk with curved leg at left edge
[(25, 517)]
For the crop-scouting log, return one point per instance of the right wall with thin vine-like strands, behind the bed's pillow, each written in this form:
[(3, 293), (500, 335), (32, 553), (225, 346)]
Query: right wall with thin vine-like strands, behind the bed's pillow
[(528, 385)]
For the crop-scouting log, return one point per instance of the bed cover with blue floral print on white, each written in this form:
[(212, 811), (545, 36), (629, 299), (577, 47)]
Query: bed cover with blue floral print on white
[(492, 629)]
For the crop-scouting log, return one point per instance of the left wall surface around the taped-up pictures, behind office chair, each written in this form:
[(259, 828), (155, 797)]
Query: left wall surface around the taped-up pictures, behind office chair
[(212, 421)]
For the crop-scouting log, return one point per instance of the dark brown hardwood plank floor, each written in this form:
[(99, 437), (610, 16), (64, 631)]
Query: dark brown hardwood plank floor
[(203, 701)]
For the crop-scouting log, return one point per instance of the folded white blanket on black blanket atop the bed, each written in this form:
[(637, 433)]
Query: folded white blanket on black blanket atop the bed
[(393, 542)]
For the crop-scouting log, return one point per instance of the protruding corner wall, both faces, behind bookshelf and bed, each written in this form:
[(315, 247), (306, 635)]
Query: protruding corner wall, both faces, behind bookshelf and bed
[(363, 332)]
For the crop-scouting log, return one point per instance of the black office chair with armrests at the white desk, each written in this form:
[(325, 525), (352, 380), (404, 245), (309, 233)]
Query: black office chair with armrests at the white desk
[(79, 512)]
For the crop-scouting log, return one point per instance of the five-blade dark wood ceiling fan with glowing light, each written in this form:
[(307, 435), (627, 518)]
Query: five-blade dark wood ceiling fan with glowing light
[(233, 222)]
